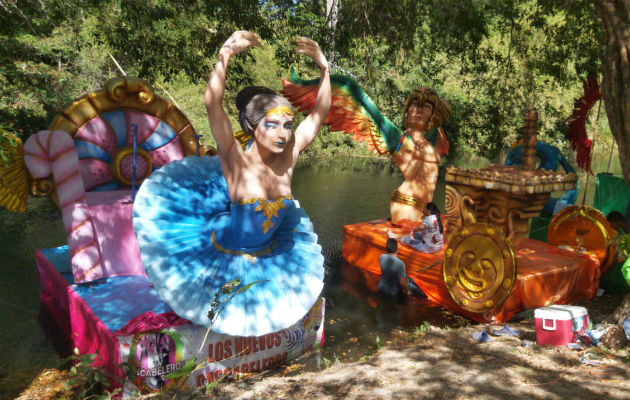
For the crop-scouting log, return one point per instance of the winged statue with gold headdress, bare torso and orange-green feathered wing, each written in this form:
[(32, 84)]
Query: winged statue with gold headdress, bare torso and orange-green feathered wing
[(415, 154)]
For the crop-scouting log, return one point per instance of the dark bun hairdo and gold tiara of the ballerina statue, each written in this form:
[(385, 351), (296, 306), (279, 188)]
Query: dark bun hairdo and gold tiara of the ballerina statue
[(256, 102)]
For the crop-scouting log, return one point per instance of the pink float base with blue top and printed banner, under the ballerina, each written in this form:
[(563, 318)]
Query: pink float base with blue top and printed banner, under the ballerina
[(142, 331)]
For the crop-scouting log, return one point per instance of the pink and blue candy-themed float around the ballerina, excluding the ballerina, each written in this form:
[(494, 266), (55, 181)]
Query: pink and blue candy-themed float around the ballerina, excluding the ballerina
[(91, 161)]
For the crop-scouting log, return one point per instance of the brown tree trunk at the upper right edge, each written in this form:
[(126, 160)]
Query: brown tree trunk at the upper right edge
[(615, 16)]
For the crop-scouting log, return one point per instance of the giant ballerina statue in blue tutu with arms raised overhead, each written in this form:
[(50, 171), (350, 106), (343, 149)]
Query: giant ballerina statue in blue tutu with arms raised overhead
[(204, 221)]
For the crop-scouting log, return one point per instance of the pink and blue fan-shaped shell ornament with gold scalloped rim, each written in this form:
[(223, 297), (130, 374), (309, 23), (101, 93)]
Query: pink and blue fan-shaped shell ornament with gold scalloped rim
[(101, 126)]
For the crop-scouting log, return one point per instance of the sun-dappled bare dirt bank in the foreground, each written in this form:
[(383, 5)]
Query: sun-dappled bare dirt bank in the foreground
[(450, 364)]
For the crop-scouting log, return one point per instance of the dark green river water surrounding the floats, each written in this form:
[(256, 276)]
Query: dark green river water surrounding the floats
[(335, 194)]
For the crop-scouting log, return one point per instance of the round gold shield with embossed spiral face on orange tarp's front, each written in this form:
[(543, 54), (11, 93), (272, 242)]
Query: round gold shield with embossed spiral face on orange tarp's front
[(479, 268)]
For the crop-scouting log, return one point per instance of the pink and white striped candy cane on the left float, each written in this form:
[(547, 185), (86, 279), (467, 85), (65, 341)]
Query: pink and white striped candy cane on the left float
[(54, 152)]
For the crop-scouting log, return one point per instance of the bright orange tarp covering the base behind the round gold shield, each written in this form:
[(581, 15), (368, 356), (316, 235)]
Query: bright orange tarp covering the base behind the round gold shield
[(545, 274)]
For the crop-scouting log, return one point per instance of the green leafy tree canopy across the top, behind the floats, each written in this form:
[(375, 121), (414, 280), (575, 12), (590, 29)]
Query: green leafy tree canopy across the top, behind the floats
[(490, 59)]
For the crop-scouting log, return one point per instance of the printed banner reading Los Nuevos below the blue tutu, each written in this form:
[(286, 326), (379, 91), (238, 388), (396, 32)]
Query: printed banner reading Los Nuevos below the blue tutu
[(157, 354)]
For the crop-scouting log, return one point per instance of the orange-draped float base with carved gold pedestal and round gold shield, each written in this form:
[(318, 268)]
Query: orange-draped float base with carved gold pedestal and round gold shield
[(488, 270)]
